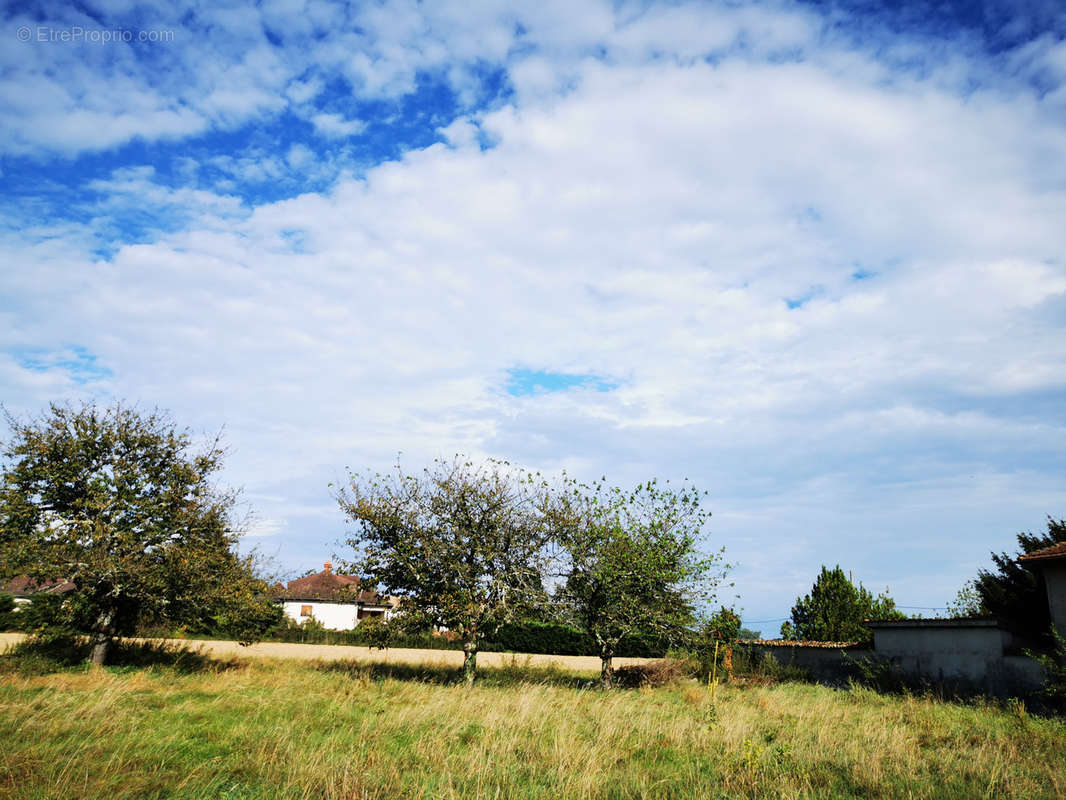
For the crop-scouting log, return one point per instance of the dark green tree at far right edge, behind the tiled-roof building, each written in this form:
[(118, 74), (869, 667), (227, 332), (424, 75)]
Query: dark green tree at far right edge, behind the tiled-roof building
[(1015, 596)]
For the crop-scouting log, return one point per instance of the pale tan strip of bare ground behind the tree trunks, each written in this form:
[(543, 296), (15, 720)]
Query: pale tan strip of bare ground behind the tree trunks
[(397, 655)]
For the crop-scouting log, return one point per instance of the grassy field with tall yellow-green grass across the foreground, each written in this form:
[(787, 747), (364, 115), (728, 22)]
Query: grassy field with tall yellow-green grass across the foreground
[(263, 729)]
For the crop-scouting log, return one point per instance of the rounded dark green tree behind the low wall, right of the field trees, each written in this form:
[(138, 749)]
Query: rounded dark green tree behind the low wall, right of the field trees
[(836, 610)]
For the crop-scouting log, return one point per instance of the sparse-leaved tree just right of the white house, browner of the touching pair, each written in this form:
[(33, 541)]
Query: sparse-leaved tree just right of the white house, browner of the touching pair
[(463, 545)]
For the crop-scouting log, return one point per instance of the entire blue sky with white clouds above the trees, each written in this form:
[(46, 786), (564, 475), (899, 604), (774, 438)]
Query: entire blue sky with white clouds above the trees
[(807, 255)]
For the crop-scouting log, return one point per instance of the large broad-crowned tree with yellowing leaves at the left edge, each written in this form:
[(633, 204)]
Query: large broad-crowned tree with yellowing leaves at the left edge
[(117, 503)]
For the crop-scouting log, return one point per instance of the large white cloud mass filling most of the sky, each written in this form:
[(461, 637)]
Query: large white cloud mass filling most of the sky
[(642, 218)]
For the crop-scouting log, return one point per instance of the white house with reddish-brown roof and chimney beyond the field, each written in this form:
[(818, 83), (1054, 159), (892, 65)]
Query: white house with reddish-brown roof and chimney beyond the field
[(334, 601)]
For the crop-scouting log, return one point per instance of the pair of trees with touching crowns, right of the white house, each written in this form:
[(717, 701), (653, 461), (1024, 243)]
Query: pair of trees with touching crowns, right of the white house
[(479, 549)]
